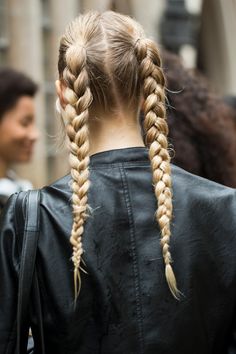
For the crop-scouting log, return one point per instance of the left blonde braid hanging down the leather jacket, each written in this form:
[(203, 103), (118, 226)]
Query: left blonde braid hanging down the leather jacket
[(79, 97)]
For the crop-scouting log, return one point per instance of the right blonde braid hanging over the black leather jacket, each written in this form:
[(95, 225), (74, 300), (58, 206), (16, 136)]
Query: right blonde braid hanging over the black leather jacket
[(156, 129)]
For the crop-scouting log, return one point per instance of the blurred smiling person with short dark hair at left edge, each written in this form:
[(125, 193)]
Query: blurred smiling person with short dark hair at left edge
[(18, 132)]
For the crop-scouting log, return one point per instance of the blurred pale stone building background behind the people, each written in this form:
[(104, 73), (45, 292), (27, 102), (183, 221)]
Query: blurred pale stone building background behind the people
[(200, 31)]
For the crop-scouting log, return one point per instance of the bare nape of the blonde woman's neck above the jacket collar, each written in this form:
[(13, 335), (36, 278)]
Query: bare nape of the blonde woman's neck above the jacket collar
[(114, 132)]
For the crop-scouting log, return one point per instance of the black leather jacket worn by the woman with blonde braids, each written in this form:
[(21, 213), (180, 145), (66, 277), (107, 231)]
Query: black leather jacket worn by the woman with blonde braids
[(125, 306)]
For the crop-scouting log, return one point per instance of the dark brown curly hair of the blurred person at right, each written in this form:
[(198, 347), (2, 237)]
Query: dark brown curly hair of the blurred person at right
[(202, 126)]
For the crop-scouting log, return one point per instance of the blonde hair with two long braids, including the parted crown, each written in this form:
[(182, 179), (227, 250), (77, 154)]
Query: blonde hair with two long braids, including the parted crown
[(106, 62)]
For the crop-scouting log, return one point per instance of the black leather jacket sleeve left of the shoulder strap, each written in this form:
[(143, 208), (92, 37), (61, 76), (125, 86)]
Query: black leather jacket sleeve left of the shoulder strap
[(9, 266)]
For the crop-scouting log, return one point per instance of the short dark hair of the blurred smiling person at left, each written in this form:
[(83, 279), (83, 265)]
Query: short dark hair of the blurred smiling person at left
[(13, 85)]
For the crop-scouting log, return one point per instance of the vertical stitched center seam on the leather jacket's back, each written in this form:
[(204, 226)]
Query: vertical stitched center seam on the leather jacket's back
[(134, 257)]
